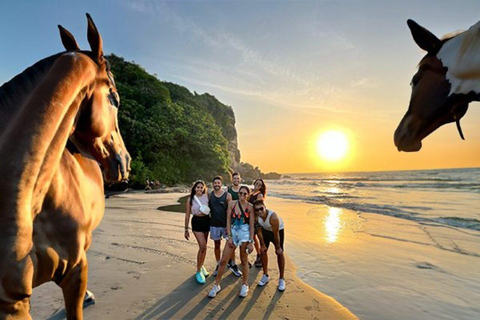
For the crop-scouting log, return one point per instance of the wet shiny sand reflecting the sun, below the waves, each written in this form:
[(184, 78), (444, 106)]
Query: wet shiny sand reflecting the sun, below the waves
[(383, 267)]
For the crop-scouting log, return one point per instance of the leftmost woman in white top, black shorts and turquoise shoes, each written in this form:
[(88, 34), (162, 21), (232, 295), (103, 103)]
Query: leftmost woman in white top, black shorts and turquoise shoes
[(200, 225)]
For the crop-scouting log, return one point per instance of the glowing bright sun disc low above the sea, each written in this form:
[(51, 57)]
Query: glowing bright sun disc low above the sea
[(332, 145)]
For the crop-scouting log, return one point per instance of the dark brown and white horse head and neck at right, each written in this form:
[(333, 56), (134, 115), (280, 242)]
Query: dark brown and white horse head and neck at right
[(448, 79)]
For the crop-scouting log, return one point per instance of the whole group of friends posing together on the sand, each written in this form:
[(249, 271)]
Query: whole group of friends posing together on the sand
[(238, 215)]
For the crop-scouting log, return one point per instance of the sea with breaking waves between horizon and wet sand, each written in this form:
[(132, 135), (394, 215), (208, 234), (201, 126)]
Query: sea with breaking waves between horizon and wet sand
[(448, 196)]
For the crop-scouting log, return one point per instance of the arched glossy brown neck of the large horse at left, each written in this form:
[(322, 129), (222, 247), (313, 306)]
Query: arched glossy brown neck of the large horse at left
[(32, 145)]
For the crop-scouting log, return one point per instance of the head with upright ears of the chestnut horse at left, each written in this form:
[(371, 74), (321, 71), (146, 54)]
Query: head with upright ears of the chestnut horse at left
[(96, 133)]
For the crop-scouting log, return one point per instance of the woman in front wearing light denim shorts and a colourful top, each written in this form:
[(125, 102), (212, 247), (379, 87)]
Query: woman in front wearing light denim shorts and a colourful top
[(240, 224)]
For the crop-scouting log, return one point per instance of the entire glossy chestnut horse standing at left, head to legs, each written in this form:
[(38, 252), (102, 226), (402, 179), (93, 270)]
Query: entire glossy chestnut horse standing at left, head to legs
[(58, 121)]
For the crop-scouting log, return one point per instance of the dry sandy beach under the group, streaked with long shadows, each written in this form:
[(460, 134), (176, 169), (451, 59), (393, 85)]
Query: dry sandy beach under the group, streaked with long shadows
[(141, 267)]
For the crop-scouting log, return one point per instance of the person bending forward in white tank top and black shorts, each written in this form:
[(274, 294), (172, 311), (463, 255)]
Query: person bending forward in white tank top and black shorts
[(271, 230)]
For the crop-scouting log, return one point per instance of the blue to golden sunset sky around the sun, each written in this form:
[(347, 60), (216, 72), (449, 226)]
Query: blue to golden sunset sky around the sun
[(290, 69)]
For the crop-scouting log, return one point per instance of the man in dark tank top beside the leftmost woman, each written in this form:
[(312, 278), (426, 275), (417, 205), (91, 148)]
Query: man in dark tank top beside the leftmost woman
[(218, 202)]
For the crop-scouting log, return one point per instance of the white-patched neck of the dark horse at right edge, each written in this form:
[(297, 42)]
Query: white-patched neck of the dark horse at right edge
[(461, 56)]
